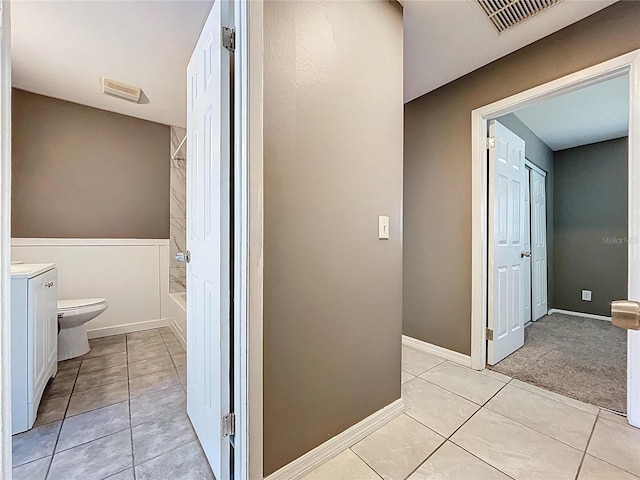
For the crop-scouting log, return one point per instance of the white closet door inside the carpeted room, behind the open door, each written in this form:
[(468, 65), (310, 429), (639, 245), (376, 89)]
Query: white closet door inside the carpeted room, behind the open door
[(539, 244)]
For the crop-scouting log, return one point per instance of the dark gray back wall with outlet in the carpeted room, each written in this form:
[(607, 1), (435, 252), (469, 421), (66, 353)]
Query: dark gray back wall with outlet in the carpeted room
[(590, 226)]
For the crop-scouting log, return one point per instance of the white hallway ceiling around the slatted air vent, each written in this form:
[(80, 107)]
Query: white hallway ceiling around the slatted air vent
[(446, 39)]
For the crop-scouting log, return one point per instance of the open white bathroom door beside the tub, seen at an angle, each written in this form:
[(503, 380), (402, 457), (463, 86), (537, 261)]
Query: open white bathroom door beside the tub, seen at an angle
[(208, 239)]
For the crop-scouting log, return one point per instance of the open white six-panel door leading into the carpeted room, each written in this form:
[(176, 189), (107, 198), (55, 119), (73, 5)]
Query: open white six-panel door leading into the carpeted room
[(506, 243)]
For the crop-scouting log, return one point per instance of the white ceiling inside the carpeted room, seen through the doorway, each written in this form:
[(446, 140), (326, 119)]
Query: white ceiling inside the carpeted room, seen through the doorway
[(589, 115)]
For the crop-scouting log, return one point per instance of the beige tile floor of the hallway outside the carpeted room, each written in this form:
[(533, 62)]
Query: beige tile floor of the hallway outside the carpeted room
[(460, 424)]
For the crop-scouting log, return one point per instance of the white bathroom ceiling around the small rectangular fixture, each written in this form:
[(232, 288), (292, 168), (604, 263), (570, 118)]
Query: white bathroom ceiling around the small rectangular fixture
[(62, 48)]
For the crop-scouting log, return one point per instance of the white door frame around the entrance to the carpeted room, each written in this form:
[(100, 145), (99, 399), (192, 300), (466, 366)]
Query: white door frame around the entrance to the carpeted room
[(625, 64)]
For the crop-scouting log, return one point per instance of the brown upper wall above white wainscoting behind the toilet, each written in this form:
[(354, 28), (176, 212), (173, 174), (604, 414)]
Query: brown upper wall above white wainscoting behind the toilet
[(80, 172)]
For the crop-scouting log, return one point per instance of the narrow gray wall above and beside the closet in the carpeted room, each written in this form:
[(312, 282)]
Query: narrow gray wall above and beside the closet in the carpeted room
[(538, 153)]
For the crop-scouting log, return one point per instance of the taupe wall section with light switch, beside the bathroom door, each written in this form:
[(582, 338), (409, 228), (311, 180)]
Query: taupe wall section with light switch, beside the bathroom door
[(332, 164)]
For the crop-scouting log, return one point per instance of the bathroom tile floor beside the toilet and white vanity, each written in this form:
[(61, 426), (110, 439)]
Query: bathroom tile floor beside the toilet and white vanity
[(119, 412)]
